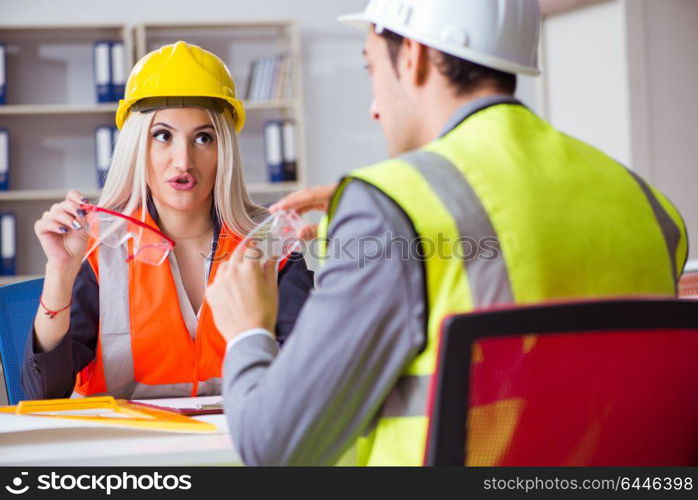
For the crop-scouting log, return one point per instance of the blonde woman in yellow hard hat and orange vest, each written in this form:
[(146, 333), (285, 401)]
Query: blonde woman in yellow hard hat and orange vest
[(130, 319)]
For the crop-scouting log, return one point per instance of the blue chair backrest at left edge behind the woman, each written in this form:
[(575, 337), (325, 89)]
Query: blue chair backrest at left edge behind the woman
[(18, 304)]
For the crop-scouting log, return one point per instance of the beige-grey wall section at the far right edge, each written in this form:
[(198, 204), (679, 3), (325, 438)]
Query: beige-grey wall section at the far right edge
[(663, 43)]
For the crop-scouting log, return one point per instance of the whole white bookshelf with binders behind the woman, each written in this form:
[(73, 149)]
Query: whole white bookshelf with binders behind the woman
[(52, 110)]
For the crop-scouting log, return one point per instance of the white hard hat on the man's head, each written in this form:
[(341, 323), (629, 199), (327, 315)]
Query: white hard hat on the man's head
[(499, 34)]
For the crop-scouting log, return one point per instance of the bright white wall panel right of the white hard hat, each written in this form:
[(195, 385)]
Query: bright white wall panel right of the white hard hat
[(585, 77)]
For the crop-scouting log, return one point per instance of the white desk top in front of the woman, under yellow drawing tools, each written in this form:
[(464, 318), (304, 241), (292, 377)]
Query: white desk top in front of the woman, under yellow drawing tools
[(122, 447)]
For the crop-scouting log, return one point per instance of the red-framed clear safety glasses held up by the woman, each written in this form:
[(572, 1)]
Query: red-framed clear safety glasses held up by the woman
[(113, 229)]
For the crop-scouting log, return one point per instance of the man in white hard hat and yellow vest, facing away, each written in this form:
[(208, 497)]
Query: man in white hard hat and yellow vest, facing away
[(501, 208)]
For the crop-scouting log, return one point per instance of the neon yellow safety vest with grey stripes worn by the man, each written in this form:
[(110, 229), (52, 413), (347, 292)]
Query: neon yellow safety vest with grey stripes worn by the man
[(568, 222)]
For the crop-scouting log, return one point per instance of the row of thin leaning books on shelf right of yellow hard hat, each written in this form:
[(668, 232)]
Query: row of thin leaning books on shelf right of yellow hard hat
[(269, 78)]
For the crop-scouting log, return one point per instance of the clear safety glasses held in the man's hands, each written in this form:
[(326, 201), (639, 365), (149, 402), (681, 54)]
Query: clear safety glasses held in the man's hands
[(277, 236)]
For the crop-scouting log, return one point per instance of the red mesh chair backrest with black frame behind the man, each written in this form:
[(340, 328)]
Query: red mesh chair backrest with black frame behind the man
[(609, 383)]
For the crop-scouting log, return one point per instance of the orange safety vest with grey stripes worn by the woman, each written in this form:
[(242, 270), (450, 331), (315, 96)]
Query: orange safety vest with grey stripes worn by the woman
[(155, 356)]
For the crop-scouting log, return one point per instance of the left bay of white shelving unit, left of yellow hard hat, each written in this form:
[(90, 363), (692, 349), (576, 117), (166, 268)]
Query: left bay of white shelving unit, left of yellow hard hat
[(51, 114)]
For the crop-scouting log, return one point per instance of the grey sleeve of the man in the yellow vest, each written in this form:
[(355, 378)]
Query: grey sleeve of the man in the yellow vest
[(362, 324)]
